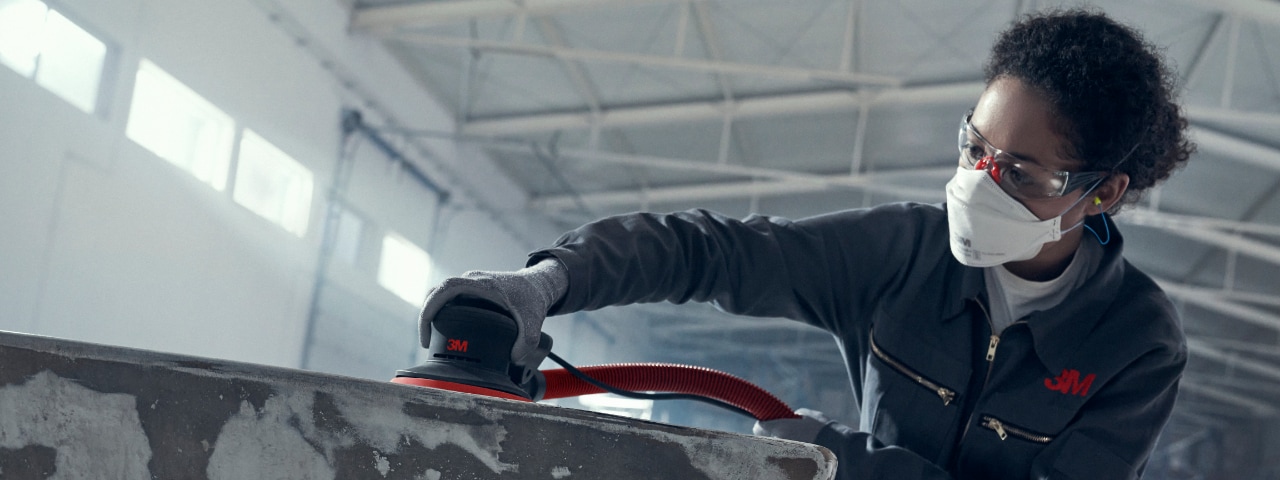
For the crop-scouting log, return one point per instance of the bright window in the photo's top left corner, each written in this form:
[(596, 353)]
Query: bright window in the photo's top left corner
[(42, 44)]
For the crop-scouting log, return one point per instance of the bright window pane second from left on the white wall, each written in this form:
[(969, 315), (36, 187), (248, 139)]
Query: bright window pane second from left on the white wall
[(180, 126)]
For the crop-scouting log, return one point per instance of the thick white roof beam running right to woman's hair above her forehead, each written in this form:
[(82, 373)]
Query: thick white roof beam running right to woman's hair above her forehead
[(789, 104)]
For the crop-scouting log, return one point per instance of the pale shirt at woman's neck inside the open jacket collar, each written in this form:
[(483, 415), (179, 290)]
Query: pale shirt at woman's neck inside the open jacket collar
[(1013, 298)]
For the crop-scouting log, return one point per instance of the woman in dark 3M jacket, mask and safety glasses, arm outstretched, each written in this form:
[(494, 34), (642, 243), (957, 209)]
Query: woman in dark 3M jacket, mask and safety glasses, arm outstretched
[(999, 336)]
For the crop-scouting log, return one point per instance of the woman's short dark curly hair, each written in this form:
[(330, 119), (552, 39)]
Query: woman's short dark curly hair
[(1109, 88)]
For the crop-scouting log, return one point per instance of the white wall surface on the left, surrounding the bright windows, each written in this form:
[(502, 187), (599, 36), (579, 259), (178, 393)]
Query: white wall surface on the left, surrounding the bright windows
[(103, 241)]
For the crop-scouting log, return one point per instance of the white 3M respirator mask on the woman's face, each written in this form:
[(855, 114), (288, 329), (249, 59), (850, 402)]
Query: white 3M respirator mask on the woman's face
[(991, 228)]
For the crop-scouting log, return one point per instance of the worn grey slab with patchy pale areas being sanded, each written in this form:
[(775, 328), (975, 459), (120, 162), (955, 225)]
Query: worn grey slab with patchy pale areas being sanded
[(74, 410)]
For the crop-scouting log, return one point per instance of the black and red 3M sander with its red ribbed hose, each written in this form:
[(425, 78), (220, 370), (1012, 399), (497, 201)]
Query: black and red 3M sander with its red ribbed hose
[(470, 353)]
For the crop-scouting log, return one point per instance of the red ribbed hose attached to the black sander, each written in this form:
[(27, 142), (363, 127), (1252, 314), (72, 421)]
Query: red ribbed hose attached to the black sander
[(693, 381)]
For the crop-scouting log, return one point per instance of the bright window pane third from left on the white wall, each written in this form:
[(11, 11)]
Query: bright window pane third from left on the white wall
[(273, 185)]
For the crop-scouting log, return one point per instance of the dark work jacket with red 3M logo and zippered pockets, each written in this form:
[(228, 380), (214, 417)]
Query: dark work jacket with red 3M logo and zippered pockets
[(1080, 391)]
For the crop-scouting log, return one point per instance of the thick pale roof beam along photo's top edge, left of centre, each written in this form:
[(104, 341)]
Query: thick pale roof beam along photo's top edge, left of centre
[(445, 12)]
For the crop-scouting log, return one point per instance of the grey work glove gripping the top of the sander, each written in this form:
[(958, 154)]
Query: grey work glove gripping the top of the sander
[(527, 294)]
